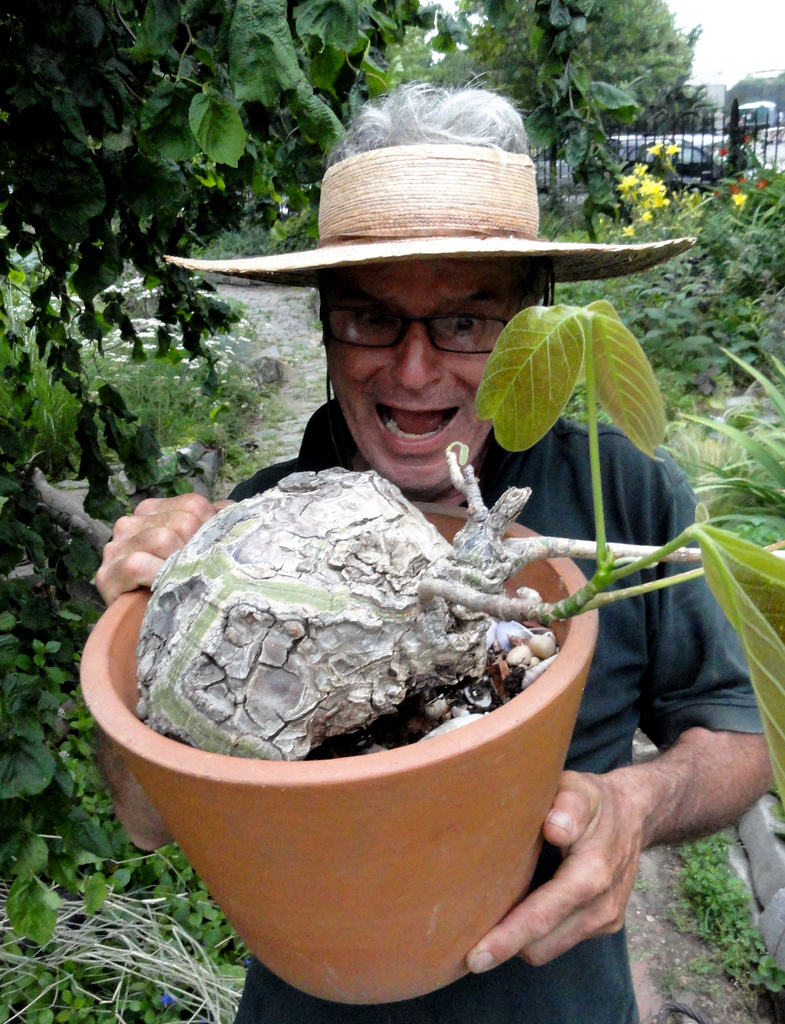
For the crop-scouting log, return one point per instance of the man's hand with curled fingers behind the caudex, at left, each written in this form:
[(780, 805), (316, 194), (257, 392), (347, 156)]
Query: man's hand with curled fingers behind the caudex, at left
[(143, 542)]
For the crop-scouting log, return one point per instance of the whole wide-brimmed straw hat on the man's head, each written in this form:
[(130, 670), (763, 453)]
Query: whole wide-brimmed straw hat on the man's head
[(437, 201)]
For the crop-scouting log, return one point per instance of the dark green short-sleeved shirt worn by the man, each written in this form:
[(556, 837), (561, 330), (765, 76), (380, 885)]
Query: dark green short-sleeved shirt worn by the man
[(666, 662)]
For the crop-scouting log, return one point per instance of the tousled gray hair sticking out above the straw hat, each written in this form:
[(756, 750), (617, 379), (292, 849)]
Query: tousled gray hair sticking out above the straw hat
[(418, 113)]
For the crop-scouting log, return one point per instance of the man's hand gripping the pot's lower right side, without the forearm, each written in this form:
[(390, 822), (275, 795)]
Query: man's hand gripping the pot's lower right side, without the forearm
[(601, 841)]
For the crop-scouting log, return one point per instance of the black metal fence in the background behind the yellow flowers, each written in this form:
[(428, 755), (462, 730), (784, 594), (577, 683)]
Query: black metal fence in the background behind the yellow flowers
[(709, 149)]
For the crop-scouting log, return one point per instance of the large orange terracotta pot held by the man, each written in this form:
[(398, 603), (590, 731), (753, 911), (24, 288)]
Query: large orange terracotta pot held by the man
[(367, 879)]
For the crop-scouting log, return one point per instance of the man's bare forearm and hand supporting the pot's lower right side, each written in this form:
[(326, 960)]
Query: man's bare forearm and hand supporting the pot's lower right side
[(602, 823)]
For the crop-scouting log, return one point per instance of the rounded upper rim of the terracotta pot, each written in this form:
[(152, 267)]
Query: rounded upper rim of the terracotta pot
[(125, 729)]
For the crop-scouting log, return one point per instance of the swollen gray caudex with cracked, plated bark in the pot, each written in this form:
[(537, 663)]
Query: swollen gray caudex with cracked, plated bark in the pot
[(298, 615)]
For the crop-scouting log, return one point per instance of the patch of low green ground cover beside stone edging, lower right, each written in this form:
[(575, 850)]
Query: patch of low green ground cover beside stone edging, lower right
[(721, 906)]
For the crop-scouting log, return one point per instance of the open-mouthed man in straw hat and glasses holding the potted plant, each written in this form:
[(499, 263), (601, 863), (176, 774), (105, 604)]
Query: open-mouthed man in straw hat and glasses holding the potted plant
[(428, 230)]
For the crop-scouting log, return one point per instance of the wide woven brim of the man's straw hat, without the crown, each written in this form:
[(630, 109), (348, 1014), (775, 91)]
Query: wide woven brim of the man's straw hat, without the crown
[(573, 262)]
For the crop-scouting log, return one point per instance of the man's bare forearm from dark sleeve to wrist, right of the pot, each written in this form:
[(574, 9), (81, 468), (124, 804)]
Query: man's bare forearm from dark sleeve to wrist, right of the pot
[(706, 782)]
